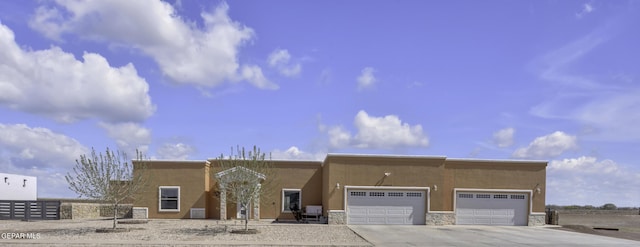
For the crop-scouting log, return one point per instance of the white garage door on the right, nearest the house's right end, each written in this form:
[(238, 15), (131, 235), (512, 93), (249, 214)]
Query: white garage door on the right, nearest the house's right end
[(479, 208)]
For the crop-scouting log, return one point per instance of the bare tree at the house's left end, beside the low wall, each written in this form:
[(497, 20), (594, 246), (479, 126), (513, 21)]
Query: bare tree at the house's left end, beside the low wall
[(107, 177)]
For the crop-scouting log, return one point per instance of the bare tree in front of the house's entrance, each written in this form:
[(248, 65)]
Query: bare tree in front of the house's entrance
[(245, 177)]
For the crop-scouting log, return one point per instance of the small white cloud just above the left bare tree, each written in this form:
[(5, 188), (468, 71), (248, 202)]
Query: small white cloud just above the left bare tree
[(129, 137)]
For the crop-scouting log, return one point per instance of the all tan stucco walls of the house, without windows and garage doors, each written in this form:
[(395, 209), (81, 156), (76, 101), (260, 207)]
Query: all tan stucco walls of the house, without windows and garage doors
[(318, 180)]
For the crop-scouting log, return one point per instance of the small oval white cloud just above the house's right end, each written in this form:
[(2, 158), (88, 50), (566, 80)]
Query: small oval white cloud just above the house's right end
[(548, 146)]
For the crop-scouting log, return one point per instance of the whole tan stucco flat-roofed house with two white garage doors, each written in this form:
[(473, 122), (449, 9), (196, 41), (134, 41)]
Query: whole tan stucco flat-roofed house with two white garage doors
[(361, 189)]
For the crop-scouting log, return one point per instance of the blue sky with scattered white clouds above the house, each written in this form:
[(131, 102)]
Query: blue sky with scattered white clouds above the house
[(541, 80)]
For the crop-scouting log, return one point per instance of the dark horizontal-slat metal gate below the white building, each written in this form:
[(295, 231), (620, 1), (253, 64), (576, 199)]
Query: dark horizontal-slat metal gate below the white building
[(29, 210)]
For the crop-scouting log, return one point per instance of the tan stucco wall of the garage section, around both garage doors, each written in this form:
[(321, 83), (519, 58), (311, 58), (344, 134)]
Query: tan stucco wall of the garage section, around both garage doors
[(446, 174)]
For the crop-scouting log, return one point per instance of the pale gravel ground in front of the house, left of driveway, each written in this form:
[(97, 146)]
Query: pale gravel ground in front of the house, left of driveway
[(178, 232)]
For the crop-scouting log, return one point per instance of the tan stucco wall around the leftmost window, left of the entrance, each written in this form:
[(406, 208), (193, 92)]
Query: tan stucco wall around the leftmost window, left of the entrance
[(189, 175)]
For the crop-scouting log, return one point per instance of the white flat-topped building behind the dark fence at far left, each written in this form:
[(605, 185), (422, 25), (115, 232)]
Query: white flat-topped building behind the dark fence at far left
[(14, 187)]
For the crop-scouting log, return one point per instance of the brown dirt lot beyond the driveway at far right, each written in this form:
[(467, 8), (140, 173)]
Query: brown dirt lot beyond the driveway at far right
[(628, 226)]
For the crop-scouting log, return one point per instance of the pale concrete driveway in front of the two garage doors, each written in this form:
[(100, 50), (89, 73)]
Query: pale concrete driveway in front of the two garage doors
[(481, 236)]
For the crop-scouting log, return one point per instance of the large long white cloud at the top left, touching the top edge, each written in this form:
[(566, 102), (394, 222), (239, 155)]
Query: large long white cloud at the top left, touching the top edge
[(186, 52)]
